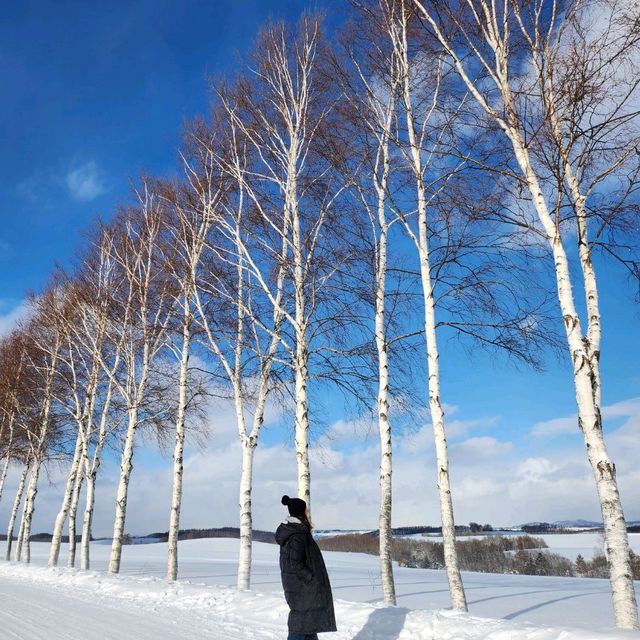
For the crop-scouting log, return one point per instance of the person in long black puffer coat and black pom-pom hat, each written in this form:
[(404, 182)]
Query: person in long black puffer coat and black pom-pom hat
[(304, 577)]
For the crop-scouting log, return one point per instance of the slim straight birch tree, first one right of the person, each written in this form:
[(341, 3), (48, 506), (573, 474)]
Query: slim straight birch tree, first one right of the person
[(370, 81)]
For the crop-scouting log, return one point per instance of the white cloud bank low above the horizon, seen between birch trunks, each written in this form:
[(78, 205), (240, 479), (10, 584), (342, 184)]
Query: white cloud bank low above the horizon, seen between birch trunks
[(492, 480)]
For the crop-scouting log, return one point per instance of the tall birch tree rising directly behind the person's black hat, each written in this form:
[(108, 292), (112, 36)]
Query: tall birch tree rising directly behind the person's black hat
[(285, 106)]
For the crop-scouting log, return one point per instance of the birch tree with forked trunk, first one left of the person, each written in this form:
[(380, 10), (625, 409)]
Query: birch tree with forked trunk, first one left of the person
[(239, 336)]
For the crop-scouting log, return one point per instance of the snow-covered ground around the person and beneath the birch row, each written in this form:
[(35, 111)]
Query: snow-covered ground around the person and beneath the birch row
[(37, 603)]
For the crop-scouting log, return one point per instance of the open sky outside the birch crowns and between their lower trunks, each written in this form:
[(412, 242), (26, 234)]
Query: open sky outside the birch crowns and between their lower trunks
[(93, 93)]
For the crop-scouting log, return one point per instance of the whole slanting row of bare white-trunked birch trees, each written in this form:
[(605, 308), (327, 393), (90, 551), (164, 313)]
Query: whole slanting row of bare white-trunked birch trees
[(430, 170)]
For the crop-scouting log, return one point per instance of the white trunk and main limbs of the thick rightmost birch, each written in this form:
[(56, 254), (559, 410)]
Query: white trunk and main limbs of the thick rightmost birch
[(585, 363)]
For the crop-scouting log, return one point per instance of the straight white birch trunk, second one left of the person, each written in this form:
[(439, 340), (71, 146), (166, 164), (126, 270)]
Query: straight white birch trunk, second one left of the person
[(178, 453)]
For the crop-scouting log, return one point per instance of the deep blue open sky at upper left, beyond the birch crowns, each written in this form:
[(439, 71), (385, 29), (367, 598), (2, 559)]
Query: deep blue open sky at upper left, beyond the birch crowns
[(93, 93)]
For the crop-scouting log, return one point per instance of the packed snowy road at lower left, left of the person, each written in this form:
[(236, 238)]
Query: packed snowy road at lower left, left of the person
[(40, 604)]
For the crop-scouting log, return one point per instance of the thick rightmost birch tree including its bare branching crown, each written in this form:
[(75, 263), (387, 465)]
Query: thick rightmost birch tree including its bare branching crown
[(495, 42)]
